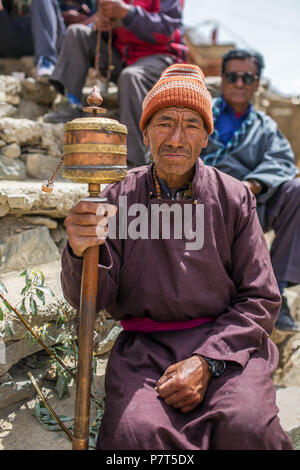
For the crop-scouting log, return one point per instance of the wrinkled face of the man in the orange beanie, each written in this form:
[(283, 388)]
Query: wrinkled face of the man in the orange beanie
[(175, 136)]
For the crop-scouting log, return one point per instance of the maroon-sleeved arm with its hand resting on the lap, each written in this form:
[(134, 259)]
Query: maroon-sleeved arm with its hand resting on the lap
[(243, 327)]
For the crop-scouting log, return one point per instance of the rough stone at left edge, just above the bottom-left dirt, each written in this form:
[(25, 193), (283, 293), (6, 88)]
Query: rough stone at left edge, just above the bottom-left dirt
[(16, 386)]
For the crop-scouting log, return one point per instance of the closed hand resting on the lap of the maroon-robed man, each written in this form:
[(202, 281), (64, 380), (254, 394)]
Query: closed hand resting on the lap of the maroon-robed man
[(183, 385)]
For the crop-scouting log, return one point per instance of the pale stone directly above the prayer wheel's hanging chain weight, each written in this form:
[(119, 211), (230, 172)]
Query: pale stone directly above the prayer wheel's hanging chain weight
[(41, 166)]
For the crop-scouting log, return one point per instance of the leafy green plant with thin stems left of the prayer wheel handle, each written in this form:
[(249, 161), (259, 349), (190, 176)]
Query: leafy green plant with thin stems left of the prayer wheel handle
[(65, 349)]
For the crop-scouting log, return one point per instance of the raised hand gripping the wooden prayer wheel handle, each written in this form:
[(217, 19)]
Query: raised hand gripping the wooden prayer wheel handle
[(86, 225)]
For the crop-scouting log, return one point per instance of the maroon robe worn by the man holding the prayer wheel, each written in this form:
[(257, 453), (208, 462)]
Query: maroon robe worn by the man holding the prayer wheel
[(230, 279)]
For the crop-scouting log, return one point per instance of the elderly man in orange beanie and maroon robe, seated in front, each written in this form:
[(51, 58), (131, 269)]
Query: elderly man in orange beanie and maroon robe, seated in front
[(192, 368)]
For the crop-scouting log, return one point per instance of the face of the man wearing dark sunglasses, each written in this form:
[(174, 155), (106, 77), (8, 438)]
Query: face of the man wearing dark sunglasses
[(239, 94)]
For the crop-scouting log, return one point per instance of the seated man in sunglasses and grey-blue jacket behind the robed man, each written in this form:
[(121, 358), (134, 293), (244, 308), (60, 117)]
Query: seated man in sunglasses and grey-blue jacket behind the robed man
[(248, 145)]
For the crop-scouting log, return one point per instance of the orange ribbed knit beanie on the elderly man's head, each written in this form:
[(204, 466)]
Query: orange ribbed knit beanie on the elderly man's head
[(179, 85)]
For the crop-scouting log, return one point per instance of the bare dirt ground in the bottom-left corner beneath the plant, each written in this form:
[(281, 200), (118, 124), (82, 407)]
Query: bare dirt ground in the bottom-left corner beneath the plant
[(21, 430)]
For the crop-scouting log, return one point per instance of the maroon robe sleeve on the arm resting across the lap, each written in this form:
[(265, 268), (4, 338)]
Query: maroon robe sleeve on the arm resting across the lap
[(249, 320)]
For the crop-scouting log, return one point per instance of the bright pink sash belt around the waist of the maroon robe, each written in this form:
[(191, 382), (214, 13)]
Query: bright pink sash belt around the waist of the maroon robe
[(146, 325)]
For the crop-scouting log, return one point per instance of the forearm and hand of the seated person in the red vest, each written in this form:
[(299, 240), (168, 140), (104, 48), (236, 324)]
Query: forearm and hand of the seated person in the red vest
[(152, 27)]
